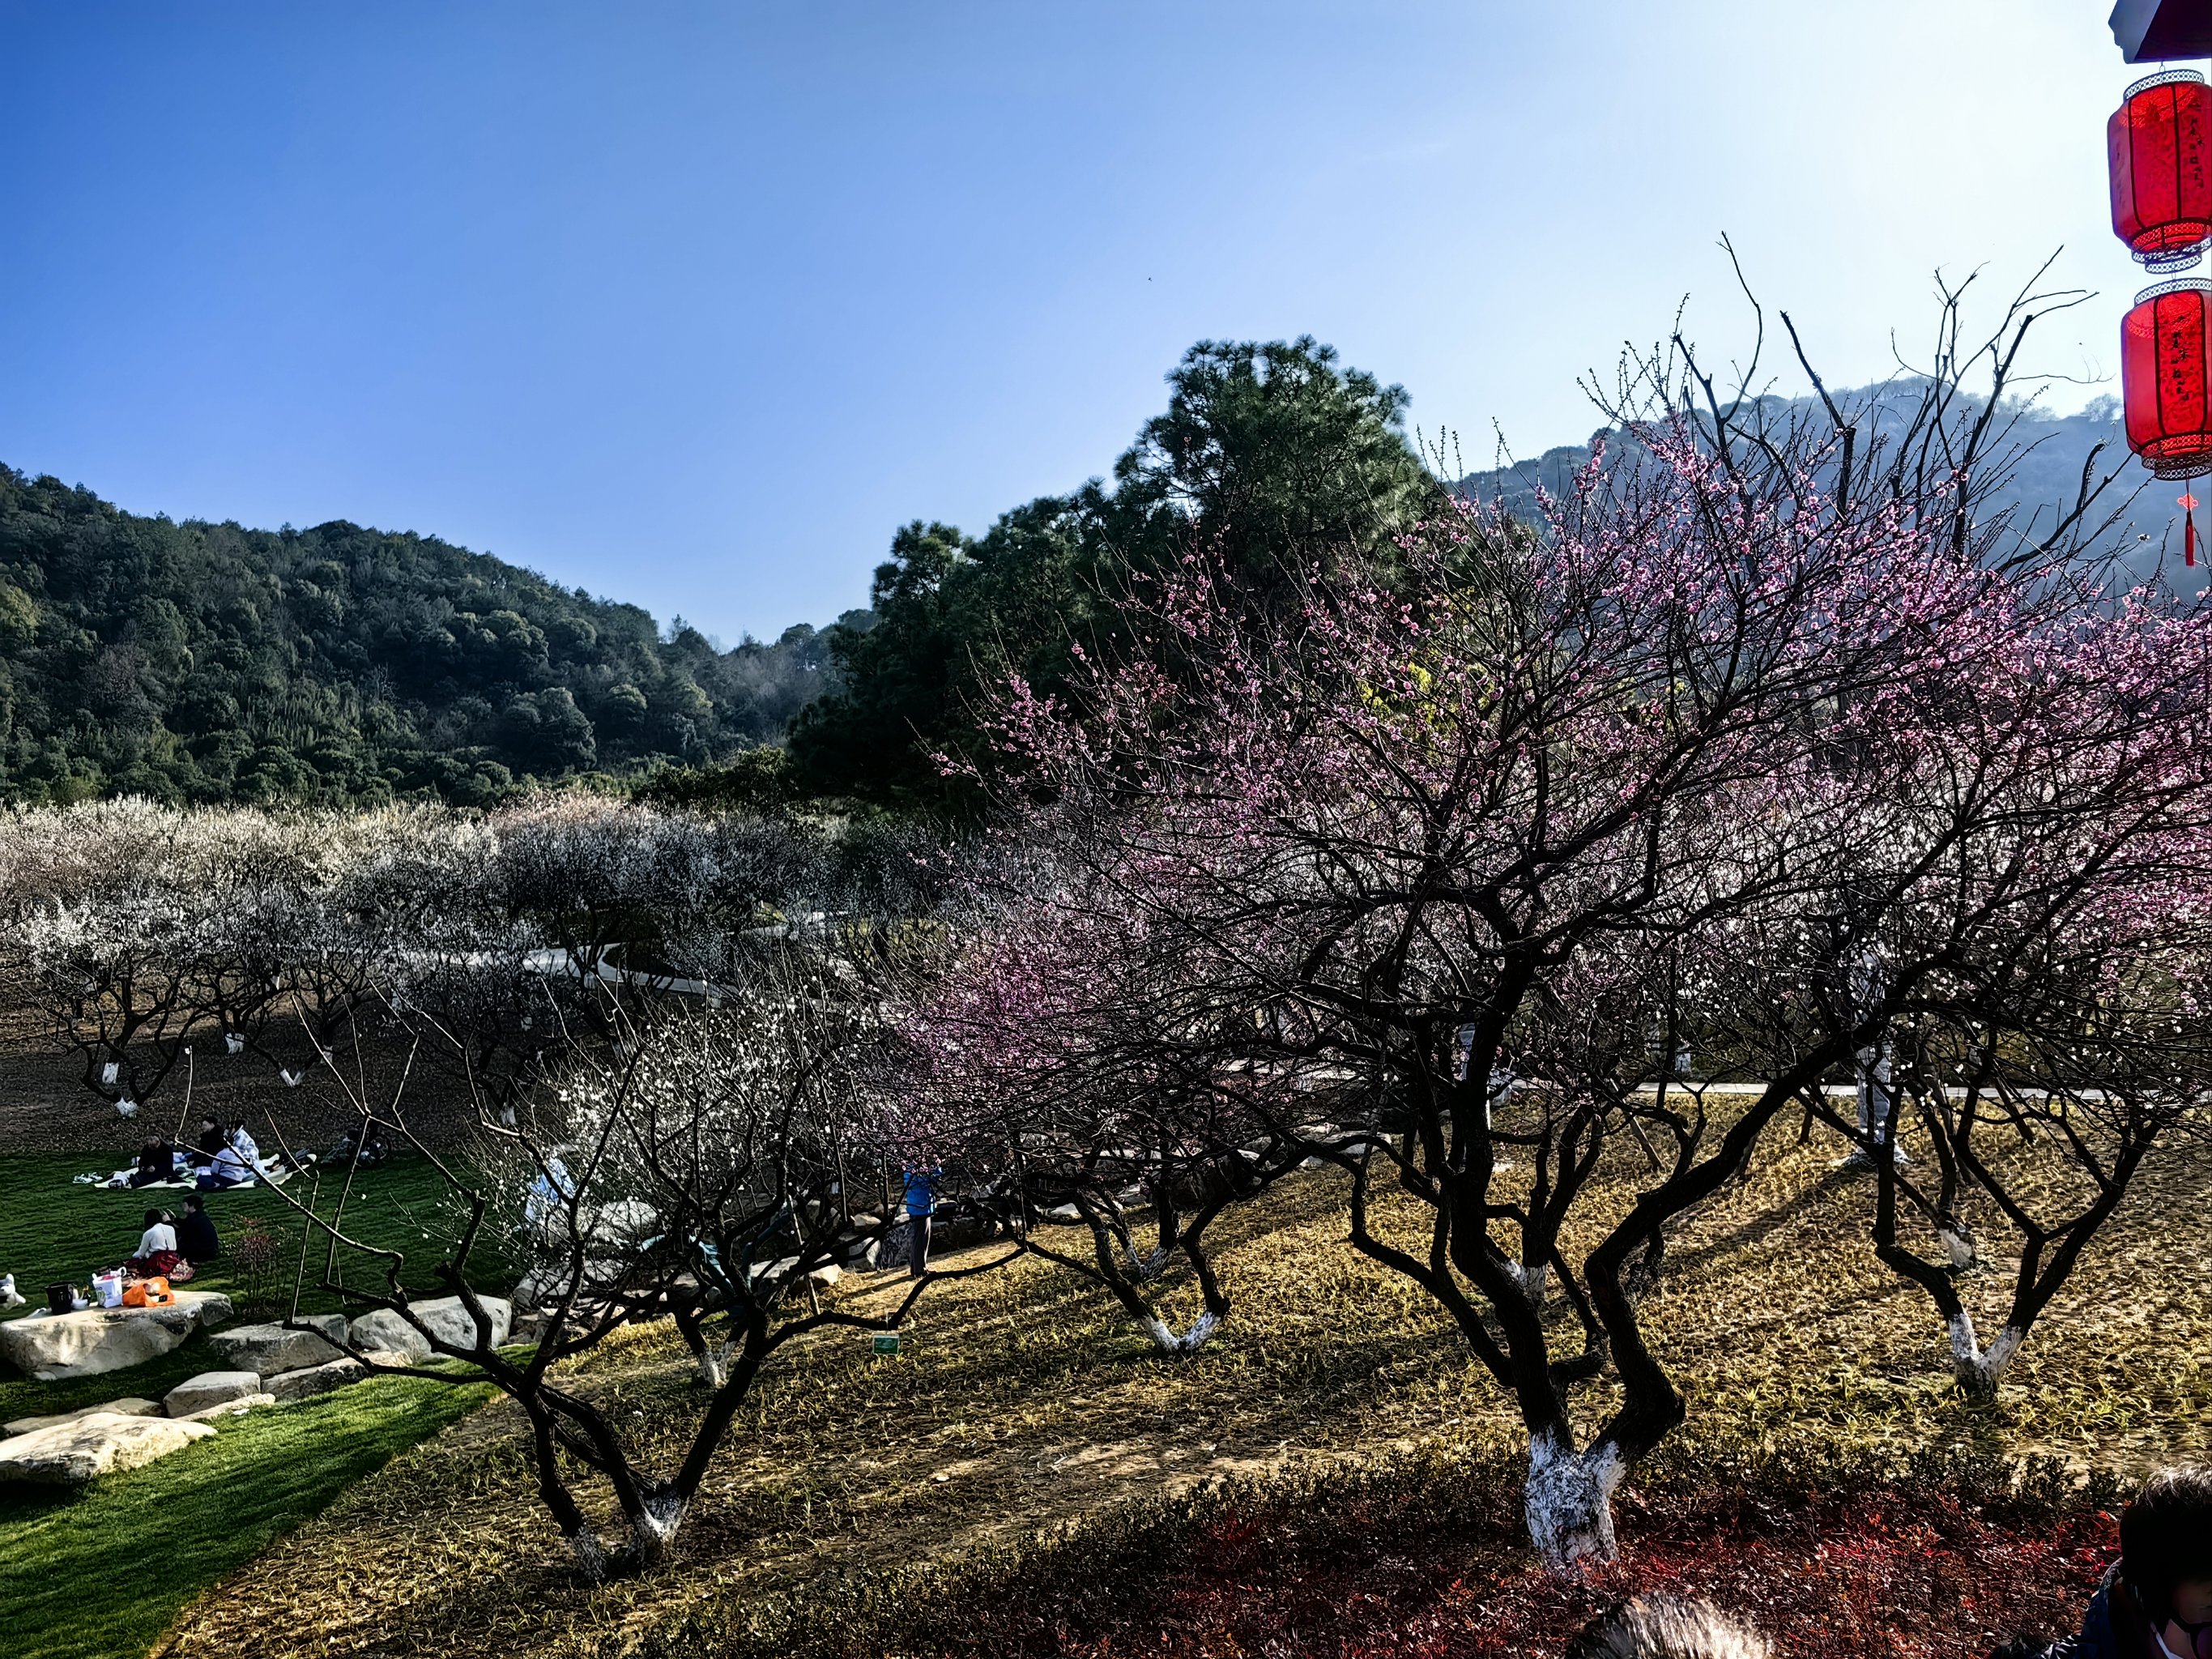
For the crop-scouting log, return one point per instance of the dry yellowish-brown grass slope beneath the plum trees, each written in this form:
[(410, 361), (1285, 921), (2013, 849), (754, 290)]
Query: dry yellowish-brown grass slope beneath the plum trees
[(1023, 1401)]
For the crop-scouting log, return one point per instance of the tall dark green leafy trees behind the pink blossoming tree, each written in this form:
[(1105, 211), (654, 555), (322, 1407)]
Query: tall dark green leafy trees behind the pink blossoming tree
[(1271, 455)]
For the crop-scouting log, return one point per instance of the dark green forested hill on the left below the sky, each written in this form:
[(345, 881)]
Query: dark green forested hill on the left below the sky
[(209, 662)]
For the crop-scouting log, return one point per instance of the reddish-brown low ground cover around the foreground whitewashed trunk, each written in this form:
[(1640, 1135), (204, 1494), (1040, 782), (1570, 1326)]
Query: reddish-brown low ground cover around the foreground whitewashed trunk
[(1943, 1561)]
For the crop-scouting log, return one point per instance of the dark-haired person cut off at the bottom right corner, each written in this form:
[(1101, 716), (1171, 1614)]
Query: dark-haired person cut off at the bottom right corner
[(2156, 1600)]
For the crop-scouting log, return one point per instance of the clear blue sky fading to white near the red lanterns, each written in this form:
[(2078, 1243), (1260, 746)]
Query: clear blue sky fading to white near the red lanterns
[(693, 304)]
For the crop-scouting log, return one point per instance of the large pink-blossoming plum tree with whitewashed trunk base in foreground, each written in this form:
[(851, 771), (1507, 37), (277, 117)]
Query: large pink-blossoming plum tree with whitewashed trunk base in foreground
[(1738, 742)]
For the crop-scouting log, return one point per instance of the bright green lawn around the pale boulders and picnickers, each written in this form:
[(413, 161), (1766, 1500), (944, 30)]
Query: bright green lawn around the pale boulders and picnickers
[(98, 1574)]
